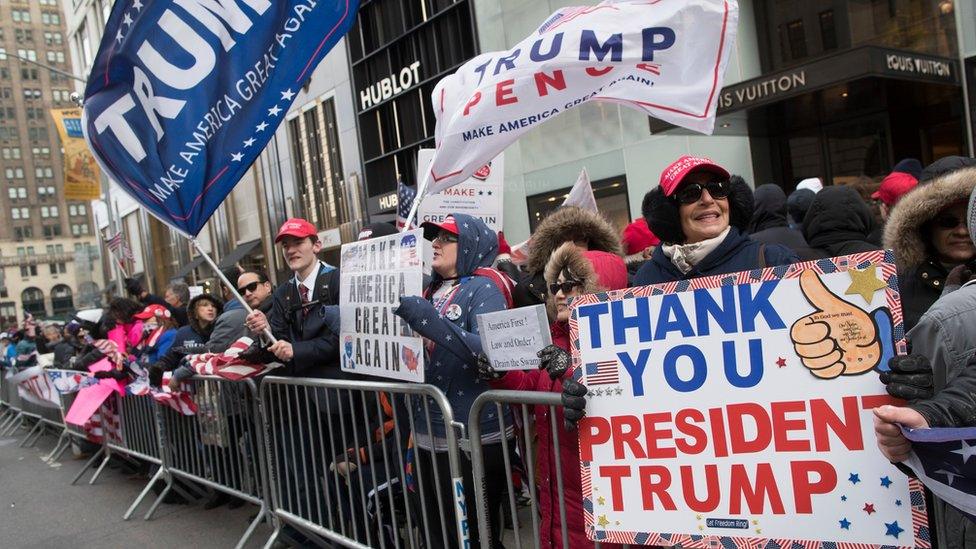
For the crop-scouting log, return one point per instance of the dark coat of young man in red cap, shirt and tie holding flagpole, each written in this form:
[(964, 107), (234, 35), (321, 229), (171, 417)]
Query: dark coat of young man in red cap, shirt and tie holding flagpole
[(312, 330)]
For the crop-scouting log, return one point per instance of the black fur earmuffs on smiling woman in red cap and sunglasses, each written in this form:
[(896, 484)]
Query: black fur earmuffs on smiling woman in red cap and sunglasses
[(661, 212)]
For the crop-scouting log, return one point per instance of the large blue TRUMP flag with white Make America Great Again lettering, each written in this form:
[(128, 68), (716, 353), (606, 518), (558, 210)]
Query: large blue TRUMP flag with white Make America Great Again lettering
[(184, 94)]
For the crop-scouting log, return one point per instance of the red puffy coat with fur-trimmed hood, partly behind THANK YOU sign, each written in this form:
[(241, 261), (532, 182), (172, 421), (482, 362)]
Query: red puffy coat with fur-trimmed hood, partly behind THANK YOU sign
[(599, 271)]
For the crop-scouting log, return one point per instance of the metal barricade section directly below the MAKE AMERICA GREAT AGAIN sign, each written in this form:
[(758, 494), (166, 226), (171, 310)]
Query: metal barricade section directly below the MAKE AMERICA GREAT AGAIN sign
[(339, 464)]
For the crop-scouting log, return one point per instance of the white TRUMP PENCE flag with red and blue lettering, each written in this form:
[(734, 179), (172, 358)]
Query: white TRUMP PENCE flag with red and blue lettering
[(665, 59)]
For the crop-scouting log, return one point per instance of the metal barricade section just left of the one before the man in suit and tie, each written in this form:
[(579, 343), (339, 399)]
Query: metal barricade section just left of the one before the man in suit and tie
[(222, 445)]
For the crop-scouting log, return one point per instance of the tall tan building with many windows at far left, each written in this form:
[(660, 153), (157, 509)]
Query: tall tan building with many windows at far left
[(49, 256)]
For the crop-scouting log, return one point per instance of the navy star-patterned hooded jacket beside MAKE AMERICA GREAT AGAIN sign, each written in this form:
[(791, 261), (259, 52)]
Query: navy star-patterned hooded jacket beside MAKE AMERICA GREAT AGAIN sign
[(451, 358)]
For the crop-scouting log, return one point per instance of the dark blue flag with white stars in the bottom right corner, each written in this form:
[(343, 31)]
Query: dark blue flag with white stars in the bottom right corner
[(944, 459)]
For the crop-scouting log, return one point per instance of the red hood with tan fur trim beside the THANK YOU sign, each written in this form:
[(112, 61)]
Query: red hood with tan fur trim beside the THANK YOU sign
[(599, 271)]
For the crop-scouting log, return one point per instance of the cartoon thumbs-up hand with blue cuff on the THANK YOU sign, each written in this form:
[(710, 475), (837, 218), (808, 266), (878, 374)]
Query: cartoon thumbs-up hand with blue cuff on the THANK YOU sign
[(839, 338)]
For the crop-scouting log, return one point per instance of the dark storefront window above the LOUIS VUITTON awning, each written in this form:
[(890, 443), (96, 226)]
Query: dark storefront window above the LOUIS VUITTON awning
[(797, 31)]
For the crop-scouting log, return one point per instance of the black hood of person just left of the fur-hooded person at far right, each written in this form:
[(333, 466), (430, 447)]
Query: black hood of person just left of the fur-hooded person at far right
[(839, 222)]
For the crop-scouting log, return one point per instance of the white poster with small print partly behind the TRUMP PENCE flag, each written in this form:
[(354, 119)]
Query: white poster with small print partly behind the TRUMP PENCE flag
[(482, 195)]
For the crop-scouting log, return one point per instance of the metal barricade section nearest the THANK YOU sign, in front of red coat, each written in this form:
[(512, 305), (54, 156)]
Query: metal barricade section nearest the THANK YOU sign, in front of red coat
[(547, 505)]
